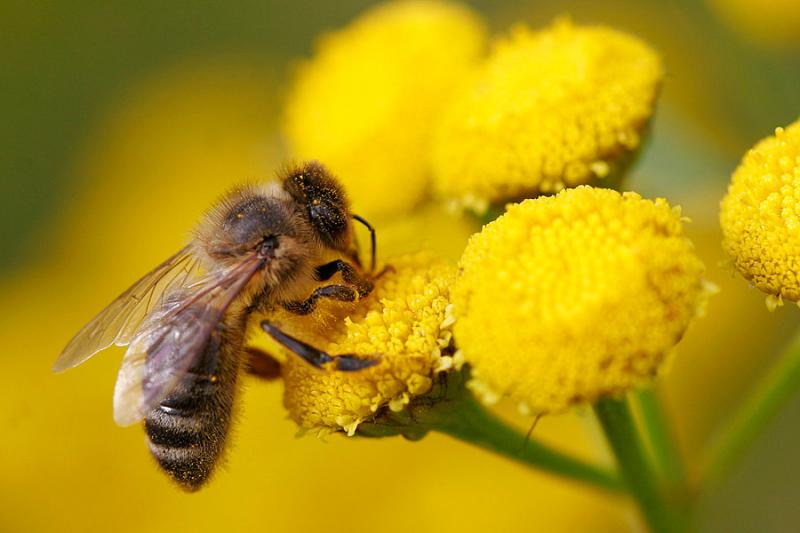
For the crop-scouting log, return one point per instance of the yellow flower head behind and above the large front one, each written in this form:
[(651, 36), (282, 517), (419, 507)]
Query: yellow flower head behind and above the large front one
[(550, 109)]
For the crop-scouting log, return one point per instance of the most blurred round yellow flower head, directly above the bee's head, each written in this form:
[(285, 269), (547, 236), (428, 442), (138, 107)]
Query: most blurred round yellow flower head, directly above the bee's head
[(364, 103)]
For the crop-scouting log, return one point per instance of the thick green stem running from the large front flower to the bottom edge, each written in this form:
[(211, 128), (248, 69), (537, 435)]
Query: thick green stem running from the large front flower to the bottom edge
[(617, 421)]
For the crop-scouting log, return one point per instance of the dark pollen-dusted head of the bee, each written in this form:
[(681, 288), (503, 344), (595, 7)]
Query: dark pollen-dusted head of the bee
[(324, 201)]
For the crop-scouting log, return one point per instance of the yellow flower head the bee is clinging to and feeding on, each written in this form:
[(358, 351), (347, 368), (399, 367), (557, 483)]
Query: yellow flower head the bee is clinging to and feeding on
[(405, 322)]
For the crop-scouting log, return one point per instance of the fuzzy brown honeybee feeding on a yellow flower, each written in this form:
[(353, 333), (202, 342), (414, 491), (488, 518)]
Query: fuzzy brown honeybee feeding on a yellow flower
[(260, 248)]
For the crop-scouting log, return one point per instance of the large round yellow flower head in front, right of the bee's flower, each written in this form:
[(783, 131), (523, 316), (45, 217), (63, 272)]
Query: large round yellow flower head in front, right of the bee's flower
[(567, 298)]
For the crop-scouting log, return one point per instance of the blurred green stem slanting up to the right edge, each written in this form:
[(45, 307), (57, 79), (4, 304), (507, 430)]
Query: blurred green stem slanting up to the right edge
[(758, 409)]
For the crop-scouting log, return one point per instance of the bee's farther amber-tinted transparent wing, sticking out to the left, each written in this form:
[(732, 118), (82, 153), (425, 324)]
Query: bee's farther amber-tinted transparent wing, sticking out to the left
[(117, 323)]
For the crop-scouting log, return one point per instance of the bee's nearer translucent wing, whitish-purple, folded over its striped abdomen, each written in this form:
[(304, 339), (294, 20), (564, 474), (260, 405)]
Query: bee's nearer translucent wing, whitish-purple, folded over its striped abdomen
[(172, 338)]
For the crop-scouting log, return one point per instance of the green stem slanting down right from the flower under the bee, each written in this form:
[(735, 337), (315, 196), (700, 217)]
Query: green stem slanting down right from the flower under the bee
[(468, 421)]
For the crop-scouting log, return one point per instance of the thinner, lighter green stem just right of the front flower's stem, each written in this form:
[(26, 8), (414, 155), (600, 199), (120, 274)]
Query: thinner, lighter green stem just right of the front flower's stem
[(659, 433)]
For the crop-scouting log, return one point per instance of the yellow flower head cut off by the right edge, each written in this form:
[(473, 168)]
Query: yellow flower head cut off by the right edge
[(760, 215)]
